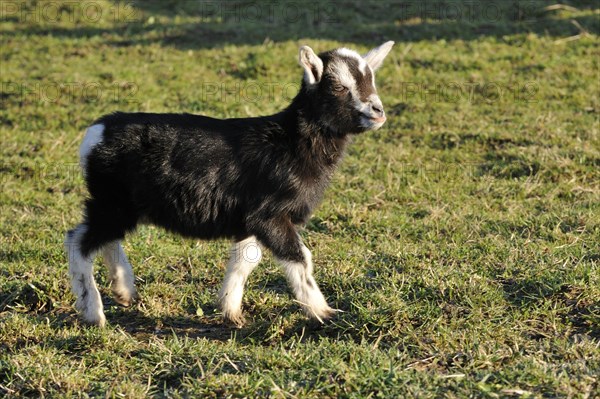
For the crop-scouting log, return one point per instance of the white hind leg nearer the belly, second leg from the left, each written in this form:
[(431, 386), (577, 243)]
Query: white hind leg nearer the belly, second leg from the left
[(121, 273)]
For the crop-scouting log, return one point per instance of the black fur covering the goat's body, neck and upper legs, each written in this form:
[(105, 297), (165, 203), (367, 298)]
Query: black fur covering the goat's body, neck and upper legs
[(208, 178)]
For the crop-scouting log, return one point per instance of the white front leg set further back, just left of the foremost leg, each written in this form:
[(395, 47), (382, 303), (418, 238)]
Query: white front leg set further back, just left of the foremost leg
[(245, 256)]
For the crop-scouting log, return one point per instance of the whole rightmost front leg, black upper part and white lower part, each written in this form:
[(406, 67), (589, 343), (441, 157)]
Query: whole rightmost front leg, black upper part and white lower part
[(285, 243)]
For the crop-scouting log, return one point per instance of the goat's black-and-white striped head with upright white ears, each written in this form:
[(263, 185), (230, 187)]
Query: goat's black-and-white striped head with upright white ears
[(341, 87)]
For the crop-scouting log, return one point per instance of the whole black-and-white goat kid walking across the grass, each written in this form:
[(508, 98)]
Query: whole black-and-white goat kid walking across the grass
[(254, 180)]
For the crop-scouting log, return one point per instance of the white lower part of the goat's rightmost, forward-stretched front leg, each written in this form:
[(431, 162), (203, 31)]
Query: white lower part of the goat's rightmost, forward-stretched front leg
[(305, 288)]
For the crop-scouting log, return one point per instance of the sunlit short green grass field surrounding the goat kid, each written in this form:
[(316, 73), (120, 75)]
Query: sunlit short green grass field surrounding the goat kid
[(462, 240)]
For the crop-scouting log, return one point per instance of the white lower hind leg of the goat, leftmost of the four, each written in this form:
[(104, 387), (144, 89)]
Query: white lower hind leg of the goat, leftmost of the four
[(89, 303)]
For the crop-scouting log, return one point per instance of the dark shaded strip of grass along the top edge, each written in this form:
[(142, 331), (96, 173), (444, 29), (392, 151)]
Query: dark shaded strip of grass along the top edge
[(217, 24)]
